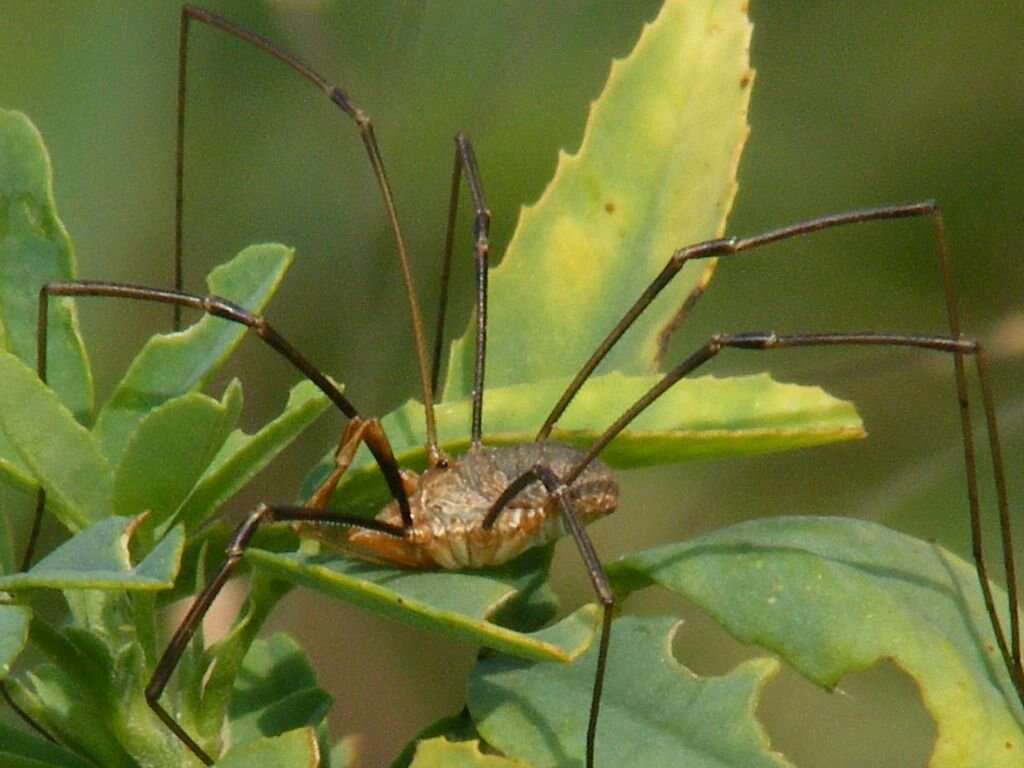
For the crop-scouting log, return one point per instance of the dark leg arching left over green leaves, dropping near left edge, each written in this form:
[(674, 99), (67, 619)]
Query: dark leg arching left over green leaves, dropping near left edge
[(220, 308)]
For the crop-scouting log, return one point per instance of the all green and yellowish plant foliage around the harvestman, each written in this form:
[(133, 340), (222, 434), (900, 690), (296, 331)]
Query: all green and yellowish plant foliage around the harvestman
[(656, 172)]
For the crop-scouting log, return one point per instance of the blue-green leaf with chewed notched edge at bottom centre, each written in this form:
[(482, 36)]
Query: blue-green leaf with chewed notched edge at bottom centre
[(654, 711)]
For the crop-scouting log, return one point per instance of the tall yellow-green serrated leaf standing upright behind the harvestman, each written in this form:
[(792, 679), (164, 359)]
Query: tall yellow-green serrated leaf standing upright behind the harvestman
[(656, 172)]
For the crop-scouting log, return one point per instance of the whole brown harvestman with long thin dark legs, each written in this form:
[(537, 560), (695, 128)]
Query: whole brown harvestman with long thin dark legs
[(465, 513)]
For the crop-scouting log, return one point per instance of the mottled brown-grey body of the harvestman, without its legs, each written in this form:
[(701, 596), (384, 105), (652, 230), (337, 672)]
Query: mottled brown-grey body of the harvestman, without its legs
[(449, 507)]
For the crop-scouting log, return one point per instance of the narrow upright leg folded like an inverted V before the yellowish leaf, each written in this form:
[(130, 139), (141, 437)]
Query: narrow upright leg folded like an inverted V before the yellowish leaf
[(465, 163)]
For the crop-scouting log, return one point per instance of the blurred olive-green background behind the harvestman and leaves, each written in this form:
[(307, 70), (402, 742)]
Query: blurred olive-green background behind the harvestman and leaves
[(855, 105)]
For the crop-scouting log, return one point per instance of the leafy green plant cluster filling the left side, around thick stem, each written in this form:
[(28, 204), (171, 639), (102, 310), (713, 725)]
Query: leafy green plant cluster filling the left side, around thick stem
[(159, 447)]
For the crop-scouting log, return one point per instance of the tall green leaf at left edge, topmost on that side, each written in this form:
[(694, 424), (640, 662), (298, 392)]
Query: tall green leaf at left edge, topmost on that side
[(35, 249)]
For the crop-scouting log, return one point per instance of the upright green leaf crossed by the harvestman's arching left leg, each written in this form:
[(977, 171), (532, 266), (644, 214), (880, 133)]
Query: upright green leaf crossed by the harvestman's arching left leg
[(174, 365)]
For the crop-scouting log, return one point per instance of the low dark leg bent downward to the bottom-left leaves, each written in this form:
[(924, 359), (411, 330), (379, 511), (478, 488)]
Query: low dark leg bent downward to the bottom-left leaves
[(236, 549)]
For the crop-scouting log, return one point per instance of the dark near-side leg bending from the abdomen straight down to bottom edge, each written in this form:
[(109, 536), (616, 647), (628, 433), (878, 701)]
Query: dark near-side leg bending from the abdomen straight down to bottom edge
[(558, 490)]
